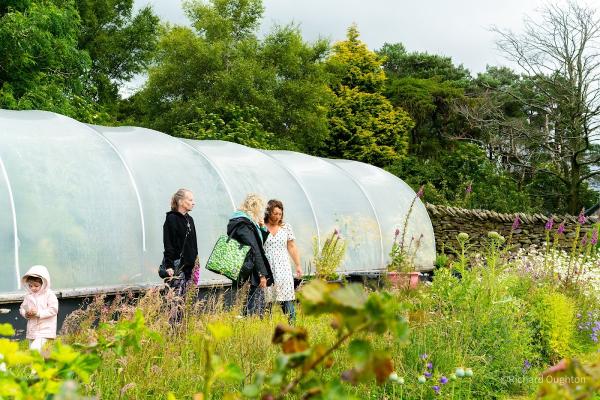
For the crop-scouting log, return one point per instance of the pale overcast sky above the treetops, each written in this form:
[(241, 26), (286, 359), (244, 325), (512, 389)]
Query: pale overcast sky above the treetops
[(455, 28)]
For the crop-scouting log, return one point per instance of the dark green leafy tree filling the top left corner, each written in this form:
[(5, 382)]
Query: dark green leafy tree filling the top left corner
[(41, 66)]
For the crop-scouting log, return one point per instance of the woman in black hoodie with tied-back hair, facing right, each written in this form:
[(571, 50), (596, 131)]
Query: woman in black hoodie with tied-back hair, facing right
[(179, 239)]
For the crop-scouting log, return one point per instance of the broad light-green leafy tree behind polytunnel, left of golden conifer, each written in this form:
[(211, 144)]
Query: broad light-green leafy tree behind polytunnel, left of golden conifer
[(274, 89)]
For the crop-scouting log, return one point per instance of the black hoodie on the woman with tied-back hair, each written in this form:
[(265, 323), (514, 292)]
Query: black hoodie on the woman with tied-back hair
[(174, 230)]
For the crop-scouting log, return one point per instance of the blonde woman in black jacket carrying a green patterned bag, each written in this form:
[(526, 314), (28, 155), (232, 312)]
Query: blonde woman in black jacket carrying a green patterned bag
[(247, 227)]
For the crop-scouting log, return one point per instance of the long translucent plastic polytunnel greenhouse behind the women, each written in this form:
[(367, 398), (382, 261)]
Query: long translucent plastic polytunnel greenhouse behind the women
[(89, 201)]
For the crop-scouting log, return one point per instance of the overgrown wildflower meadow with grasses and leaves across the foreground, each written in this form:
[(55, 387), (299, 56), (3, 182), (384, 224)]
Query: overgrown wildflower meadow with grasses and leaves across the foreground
[(501, 324)]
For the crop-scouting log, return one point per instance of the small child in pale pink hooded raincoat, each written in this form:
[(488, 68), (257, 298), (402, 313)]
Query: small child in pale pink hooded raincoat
[(39, 307)]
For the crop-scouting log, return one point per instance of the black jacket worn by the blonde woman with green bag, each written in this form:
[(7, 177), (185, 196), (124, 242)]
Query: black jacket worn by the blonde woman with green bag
[(256, 262)]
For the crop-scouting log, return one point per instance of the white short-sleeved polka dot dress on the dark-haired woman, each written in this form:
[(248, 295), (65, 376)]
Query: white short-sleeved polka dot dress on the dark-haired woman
[(279, 259)]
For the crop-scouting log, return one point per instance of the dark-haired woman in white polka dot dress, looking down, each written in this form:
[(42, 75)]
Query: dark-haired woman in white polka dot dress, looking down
[(279, 247)]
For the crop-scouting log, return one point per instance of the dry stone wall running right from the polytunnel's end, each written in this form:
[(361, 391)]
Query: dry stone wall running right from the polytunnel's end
[(449, 221)]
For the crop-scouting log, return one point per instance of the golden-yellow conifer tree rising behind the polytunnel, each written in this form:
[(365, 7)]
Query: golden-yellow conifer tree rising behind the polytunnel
[(363, 124)]
